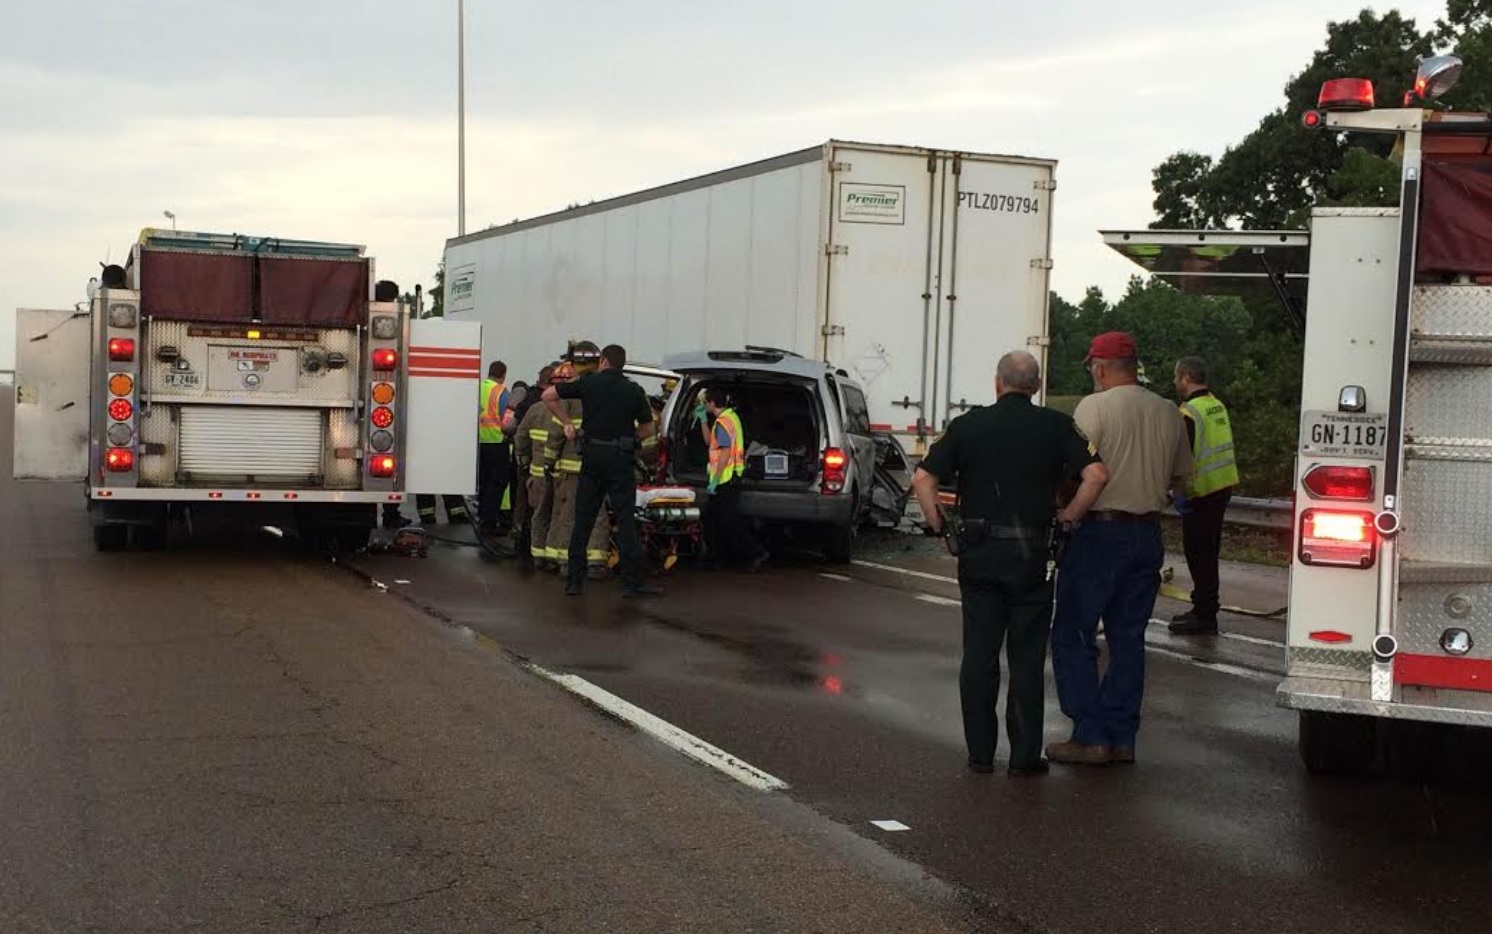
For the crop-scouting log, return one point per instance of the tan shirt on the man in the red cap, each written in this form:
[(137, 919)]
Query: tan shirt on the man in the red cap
[(1142, 441)]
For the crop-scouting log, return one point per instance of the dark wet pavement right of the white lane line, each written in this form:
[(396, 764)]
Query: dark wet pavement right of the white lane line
[(842, 681)]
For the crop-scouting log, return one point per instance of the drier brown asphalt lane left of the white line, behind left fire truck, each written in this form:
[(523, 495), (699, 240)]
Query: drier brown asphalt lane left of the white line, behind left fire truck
[(232, 736)]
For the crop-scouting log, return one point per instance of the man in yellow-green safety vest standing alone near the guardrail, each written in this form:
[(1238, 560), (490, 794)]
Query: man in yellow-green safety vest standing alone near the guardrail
[(1214, 478)]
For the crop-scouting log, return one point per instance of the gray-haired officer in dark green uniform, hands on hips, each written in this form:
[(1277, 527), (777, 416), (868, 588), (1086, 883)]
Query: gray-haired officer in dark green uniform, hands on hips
[(1009, 462)]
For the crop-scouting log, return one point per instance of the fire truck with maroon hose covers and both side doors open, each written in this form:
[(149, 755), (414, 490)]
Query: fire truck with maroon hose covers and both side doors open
[(225, 377)]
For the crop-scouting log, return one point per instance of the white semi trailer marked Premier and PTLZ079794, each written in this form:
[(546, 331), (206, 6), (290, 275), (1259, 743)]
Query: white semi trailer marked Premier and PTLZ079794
[(909, 268)]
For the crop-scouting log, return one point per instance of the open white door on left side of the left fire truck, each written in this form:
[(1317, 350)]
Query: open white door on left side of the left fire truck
[(51, 395)]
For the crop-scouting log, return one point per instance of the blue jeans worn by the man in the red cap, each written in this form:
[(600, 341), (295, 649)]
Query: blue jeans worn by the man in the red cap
[(1111, 571)]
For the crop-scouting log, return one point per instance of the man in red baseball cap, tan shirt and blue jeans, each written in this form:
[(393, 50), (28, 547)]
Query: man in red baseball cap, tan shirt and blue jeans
[(1112, 568)]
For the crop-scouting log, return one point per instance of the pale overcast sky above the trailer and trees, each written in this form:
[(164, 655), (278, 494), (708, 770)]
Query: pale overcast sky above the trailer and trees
[(338, 119)]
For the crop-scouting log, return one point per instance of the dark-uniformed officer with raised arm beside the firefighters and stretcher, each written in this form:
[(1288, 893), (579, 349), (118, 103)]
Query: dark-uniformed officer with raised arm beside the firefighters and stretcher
[(615, 420)]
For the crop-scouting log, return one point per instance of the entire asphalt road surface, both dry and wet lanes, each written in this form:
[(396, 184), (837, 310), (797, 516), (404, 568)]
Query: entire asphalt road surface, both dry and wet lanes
[(236, 738)]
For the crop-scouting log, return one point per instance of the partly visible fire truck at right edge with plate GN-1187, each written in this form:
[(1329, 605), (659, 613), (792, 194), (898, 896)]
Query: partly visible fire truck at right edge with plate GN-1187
[(1391, 578)]
